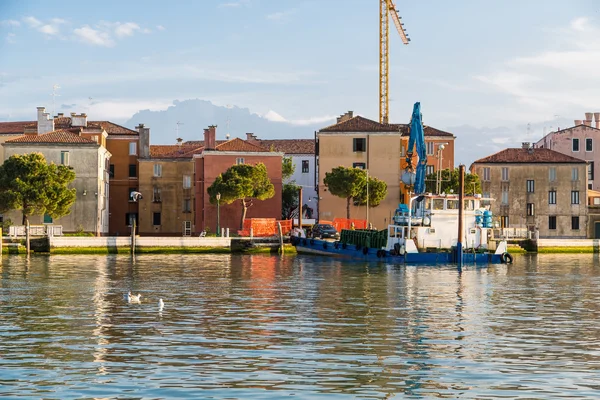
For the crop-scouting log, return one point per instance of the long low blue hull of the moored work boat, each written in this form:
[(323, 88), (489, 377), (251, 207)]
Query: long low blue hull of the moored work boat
[(325, 248)]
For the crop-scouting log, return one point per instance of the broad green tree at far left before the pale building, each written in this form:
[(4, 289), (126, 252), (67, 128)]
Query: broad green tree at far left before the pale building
[(28, 183)]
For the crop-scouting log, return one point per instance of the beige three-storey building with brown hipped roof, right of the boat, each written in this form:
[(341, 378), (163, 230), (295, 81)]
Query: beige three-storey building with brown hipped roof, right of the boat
[(538, 189)]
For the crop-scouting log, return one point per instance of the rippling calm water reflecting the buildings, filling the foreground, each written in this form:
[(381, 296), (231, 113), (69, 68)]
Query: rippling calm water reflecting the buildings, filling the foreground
[(265, 327)]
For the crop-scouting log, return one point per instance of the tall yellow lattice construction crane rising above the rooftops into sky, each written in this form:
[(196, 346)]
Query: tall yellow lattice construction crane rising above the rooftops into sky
[(387, 8)]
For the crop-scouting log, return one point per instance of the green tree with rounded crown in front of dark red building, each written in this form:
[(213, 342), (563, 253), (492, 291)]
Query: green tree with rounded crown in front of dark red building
[(242, 182)]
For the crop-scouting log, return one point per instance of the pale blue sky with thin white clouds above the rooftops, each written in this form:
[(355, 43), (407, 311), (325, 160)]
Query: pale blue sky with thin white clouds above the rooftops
[(480, 63)]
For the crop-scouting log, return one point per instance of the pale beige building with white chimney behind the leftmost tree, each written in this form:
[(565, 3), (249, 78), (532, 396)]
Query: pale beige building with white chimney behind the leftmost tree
[(82, 148)]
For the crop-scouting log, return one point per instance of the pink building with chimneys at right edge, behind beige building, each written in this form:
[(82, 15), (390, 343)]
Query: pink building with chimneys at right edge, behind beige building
[(580, 141)]
